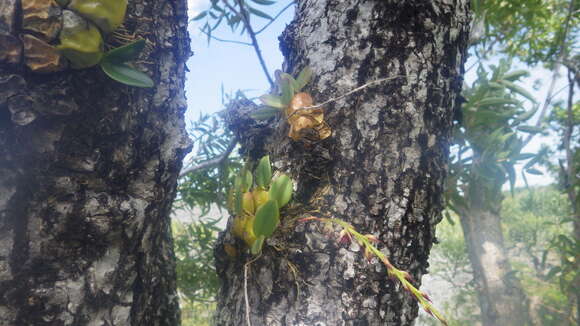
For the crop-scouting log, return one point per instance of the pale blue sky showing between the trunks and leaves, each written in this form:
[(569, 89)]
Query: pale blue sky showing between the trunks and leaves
[(236, 67)]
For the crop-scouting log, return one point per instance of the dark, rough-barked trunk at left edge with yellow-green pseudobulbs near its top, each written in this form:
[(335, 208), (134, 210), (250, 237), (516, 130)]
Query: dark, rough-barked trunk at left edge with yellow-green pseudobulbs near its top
[(88, 170)]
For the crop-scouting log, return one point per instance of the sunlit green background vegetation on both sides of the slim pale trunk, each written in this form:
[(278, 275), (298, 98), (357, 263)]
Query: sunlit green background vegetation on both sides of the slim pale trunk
[(533, 219)]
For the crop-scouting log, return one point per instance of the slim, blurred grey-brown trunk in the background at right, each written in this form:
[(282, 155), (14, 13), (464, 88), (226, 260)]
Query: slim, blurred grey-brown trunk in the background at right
[(501, 298)]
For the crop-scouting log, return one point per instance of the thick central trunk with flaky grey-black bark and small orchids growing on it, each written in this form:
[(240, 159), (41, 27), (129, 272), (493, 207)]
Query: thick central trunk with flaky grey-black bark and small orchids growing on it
[(381, 170)]
